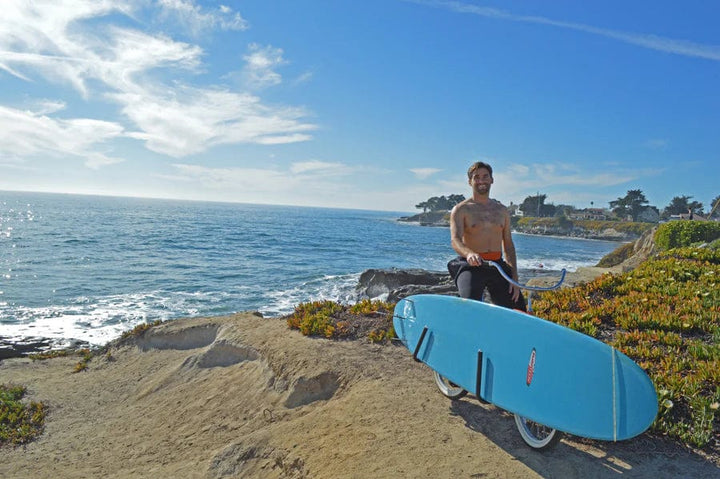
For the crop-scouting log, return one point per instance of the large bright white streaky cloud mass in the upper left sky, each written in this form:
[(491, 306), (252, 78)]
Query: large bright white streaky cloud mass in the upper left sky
[(148, 75)]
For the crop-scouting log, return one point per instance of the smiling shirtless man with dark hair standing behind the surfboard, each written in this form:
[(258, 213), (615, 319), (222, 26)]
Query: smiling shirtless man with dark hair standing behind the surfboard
[(480, 230)]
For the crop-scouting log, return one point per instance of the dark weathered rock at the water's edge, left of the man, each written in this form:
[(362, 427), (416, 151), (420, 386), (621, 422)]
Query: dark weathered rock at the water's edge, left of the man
[(395, 284)]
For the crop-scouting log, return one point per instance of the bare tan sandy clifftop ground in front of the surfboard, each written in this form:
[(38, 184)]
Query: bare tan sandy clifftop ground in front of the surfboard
[(243, 396)]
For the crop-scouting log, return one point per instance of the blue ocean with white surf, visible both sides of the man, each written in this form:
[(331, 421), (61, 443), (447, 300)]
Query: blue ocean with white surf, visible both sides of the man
[(91, 267)]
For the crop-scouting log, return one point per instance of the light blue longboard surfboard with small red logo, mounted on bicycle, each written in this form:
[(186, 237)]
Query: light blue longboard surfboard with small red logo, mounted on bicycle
[(537, 369)]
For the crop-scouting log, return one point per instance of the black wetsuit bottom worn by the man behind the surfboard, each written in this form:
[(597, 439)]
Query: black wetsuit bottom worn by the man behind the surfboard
[(471, 282)]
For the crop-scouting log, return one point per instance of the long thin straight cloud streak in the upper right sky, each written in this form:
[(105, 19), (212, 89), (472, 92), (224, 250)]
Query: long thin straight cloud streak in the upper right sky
[(651, 41)]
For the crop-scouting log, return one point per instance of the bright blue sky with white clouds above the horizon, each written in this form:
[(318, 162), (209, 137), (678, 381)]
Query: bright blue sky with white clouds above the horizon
[(374, 104)]
